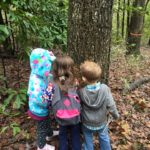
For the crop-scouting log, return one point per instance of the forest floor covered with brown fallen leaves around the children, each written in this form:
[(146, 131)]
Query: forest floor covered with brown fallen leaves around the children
[(131, 132)]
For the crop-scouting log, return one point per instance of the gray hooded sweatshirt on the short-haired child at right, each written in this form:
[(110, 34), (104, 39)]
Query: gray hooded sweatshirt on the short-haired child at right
[(96, 105)]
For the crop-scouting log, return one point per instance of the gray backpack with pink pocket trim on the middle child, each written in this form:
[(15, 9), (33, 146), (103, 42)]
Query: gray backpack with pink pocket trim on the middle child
[(66, 106)]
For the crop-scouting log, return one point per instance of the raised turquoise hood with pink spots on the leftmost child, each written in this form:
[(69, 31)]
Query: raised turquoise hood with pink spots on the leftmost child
[(41, 62)]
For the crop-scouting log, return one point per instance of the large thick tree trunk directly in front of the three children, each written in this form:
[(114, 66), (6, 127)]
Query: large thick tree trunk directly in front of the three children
[(89, 32)]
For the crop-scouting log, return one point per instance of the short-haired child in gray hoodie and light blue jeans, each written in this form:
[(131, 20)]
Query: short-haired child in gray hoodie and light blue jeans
[(97, 102)]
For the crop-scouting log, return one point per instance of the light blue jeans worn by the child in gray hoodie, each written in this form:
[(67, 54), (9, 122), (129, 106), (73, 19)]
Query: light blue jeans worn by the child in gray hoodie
[(104, 140)]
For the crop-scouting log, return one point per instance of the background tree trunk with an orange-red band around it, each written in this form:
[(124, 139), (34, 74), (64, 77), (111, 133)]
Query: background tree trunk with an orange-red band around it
[(135, 27)]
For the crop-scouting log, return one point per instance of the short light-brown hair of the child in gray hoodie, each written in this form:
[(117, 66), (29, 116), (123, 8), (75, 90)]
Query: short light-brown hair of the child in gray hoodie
[(91, 71)]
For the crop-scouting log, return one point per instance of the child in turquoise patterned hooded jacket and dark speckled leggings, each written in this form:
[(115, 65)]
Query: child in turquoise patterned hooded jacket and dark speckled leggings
[(39, 103)]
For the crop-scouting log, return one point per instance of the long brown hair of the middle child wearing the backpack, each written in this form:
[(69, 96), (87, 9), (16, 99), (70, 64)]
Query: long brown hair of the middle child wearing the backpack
[(63, 67)]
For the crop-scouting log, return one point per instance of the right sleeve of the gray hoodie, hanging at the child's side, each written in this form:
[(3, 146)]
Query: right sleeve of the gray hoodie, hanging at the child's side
[(111, 106)]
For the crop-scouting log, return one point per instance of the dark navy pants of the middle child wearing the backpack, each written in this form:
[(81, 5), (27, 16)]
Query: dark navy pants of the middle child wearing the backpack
[(74, 132)]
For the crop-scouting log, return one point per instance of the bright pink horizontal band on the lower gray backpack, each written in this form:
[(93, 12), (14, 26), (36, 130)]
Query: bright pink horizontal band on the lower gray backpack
[(67, 113)]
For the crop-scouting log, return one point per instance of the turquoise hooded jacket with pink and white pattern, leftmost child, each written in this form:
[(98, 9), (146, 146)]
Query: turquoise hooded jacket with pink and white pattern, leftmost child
[(41, 64)]
